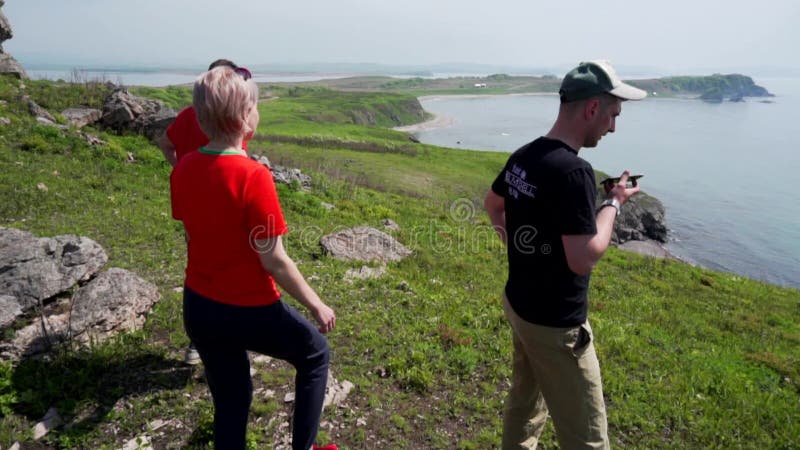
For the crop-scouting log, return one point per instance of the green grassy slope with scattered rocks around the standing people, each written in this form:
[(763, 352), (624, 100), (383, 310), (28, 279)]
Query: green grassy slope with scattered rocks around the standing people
[(691, 358)]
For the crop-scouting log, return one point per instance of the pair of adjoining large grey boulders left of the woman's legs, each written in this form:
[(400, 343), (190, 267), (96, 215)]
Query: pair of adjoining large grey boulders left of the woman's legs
[(35, 277)]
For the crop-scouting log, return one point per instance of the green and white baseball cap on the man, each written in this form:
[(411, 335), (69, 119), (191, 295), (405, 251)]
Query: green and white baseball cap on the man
[(596, 77)]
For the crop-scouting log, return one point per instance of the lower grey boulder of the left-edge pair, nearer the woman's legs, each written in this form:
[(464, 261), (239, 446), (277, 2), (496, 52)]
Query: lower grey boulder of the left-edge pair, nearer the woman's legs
[(116, 300)]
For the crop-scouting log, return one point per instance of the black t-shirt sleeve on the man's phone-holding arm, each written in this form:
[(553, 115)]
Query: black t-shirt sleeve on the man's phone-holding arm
[(576, 210)]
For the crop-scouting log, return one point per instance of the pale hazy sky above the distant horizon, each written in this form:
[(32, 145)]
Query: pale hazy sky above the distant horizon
[(676, 35)]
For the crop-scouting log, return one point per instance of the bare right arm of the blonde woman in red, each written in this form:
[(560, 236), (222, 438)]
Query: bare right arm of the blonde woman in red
[(275, 261)]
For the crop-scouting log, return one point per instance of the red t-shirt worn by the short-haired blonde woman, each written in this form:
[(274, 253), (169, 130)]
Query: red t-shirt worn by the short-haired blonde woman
[(225, 201)]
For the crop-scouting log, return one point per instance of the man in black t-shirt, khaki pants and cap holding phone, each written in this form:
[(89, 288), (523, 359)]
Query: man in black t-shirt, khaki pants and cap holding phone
[(542, 205)]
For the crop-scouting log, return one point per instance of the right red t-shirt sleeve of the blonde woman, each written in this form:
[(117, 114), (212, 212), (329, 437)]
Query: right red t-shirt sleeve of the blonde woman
[(264, 216)]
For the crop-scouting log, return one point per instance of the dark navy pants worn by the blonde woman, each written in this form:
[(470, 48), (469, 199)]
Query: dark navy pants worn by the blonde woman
[(224, 333)]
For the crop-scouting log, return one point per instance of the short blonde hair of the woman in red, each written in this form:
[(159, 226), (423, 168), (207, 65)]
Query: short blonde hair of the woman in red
[(222, 100)]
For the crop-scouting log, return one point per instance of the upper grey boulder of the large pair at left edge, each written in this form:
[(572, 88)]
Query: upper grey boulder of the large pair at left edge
[(34, 269)]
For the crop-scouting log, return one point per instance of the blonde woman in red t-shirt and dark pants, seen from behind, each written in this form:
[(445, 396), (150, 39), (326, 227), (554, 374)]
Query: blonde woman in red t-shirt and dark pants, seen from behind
[(229, 207)]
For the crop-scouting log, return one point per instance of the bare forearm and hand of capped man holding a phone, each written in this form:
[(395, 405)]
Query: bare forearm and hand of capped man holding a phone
[(583, 251)]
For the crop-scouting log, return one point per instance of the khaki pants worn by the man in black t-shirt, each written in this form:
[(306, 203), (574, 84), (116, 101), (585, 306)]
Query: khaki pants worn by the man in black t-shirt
[(554, 369)]
